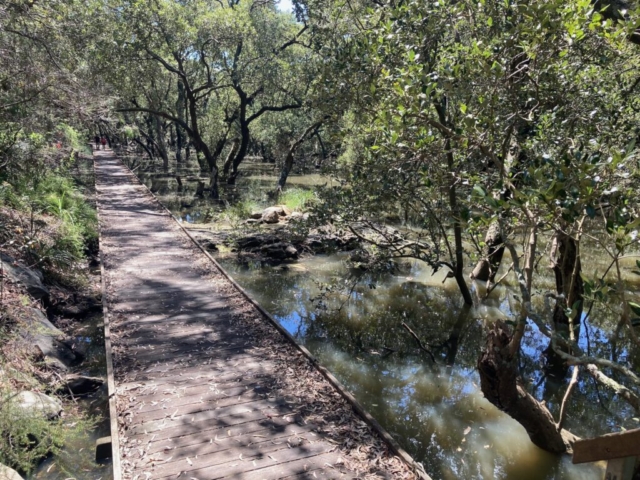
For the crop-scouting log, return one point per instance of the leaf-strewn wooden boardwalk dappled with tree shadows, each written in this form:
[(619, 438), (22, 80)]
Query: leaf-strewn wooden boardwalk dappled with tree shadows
[(206, 388)]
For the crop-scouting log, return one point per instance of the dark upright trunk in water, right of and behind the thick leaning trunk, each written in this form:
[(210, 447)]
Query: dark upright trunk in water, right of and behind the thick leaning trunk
[(565, 263)]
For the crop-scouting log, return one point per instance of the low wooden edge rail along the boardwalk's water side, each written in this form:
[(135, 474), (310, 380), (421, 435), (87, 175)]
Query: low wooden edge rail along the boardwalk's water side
[(357, 407)]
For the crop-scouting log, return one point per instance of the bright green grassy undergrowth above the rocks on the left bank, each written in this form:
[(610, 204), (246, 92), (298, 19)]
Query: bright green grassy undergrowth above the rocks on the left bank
[(54, 223)]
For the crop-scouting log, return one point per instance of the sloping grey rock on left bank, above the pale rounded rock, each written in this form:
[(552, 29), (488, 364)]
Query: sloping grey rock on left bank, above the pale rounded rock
[(38, 332)]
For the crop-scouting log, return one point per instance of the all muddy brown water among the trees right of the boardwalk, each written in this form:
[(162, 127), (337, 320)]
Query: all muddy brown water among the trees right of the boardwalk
[(352, 323)]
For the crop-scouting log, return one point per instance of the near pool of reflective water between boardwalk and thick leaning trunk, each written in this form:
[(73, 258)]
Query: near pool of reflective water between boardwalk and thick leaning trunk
[(437, 412)]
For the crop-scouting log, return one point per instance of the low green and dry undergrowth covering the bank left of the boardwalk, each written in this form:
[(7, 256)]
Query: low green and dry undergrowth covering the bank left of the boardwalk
[(48, 222)]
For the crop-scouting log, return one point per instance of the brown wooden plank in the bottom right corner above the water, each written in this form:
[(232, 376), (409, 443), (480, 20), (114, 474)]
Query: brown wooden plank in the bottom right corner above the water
[(607, 447)]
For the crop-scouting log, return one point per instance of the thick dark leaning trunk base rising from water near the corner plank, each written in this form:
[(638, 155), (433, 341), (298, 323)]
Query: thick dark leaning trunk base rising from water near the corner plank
[(500, 385)]
